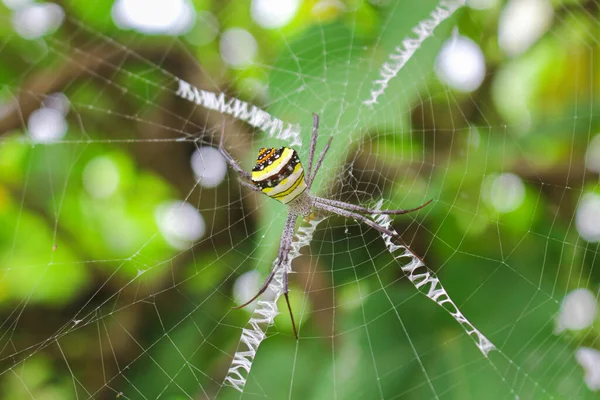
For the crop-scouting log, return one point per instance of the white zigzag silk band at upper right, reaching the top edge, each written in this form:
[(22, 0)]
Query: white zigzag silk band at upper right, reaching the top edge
[(405, 50)]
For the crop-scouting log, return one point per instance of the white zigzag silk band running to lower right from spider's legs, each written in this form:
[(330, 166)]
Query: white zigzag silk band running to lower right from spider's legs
[(420, 276)]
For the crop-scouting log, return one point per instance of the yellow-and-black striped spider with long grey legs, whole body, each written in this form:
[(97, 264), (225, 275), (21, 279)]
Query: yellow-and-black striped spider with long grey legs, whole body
[(279, 174)]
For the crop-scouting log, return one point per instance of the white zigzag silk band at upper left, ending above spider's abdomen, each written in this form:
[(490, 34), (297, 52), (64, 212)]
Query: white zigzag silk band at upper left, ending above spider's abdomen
[(237, 108)]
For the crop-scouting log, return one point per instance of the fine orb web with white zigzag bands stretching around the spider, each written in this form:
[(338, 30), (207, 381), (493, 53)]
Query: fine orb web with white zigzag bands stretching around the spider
[(115, 294)]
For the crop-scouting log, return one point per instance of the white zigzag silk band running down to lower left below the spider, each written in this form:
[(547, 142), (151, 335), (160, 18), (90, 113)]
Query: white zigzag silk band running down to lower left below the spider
[(264, 314)]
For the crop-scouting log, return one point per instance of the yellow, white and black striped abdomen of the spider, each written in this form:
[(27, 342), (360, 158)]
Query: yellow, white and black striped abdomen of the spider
[(278, 173)]
